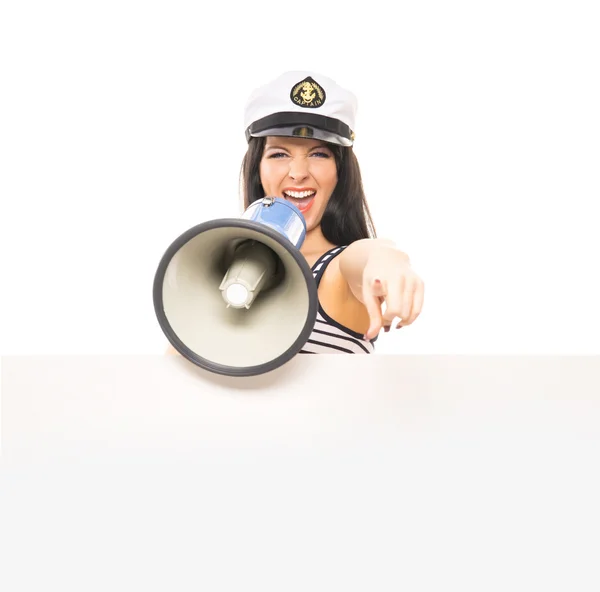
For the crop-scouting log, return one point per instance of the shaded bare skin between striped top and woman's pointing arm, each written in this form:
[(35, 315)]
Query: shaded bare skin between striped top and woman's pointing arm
[(338, 301)]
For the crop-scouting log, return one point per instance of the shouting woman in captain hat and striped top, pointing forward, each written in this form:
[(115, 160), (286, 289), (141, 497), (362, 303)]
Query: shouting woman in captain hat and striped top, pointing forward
[(300, 135)]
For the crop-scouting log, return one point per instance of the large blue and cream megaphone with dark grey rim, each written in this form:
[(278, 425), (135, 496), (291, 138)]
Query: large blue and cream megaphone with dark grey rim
[(235, 296)]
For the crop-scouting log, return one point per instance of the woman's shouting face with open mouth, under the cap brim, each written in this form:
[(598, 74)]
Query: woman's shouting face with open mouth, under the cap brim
[(299, 170)]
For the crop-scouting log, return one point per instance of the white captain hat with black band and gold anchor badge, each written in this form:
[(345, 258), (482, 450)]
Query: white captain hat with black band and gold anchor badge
[(302, 104)]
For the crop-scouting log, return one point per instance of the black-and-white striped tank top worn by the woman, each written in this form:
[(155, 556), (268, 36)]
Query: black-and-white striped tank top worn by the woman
[(329, 336)]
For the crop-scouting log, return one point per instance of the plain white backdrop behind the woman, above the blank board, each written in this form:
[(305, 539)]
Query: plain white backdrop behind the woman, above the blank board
[(478, 136)]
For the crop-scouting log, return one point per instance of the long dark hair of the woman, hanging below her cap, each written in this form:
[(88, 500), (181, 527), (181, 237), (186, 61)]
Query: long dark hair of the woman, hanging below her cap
[(346, 218)]
